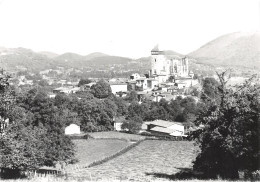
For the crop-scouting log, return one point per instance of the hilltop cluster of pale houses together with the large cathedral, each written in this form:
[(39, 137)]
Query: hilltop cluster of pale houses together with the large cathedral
[(168, 78)]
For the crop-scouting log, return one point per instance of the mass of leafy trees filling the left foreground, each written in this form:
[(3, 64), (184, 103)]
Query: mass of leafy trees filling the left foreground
[(32, 129)]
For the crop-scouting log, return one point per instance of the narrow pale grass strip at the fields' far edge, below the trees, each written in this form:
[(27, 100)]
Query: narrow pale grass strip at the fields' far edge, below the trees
[(117, 135)]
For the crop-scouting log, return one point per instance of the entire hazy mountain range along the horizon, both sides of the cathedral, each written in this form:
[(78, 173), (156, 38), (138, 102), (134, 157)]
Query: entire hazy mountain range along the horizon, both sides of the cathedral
[(236, 49)]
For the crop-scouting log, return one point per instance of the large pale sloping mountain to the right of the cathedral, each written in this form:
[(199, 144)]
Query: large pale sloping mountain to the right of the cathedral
[(233, 49)]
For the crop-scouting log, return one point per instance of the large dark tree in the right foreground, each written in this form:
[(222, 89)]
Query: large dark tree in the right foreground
[(229, 140)]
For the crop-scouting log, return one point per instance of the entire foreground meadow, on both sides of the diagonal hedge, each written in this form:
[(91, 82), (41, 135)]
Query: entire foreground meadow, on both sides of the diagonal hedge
[(150, 160)]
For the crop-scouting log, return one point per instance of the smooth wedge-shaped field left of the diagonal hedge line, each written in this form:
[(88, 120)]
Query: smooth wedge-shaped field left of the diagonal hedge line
[(91, 150)]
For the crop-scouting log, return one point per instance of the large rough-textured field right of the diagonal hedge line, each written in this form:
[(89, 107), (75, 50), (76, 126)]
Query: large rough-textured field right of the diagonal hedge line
[(151, 160)]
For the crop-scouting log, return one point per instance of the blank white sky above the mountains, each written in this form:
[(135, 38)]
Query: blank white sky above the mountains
[(129, 28)]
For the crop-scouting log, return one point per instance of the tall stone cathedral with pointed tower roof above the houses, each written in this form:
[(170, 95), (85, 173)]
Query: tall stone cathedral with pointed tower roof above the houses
[(163, 66)]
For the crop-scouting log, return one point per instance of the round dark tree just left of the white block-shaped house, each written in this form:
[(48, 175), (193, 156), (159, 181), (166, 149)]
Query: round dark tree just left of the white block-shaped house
[(101, 89)]
